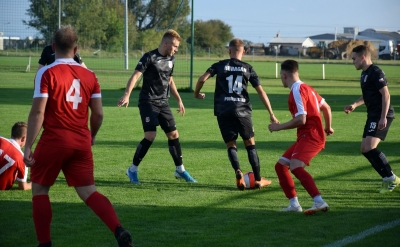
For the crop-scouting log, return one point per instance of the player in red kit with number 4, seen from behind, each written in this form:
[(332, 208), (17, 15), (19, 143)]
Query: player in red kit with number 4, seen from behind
[(64, 92)]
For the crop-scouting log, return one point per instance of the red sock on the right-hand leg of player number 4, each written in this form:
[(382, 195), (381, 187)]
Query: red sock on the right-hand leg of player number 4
[(102, 207)]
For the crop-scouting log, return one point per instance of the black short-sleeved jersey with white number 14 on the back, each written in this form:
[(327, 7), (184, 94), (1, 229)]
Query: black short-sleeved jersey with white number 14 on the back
[(231, 97)]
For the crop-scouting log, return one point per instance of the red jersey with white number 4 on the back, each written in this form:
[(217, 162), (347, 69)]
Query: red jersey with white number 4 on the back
[(69, 88)]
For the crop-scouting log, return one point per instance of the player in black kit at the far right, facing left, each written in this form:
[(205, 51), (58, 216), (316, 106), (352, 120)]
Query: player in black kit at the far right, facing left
[(380, 114)]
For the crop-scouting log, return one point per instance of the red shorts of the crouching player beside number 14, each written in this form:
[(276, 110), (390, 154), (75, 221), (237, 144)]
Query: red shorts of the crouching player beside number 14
[(304, 149)]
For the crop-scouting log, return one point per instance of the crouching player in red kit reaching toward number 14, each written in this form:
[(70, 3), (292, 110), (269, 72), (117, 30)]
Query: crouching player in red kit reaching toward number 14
[(304, 105)]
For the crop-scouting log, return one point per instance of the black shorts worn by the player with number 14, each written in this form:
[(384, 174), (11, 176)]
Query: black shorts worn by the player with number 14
[(231, 126)]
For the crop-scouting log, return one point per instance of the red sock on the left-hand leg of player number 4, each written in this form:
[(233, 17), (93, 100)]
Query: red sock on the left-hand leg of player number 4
[(42, 214)]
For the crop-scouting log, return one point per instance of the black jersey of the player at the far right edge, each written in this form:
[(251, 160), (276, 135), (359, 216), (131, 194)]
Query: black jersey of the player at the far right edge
[(372, 80)]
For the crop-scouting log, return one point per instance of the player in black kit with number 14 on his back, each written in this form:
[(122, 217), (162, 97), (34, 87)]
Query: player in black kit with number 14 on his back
[(233, 109)]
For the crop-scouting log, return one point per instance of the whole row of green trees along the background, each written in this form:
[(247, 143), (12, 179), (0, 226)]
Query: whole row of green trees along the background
[(100, 23)]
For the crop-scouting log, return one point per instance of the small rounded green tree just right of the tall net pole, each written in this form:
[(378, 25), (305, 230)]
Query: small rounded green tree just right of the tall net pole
[(211, 34)]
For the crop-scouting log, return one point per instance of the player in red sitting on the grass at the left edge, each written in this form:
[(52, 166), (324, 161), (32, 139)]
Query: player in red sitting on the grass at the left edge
[(12, 165)]
